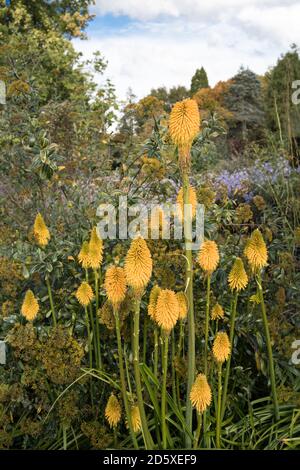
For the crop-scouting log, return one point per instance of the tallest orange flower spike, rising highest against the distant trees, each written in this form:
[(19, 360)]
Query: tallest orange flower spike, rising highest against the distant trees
[(184, 123)]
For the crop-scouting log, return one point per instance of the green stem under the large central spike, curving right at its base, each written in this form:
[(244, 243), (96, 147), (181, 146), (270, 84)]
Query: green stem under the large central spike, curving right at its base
[(137, 376)]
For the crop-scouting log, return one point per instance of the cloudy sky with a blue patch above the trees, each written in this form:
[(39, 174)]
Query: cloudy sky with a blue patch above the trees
[(151, 43)]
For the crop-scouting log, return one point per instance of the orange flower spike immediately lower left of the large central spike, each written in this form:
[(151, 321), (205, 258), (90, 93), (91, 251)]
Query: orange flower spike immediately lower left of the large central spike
[(115, 285)]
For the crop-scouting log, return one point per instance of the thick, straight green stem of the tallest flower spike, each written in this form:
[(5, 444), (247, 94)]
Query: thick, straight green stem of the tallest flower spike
[(191, 320)]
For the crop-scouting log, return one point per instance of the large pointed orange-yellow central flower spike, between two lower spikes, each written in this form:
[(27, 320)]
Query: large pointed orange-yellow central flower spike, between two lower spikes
[(138, 264)]
